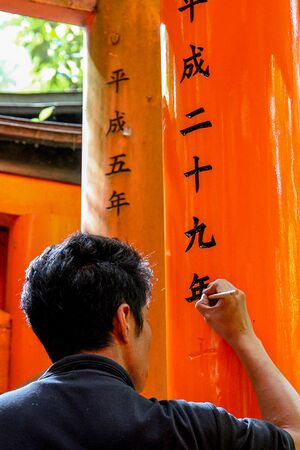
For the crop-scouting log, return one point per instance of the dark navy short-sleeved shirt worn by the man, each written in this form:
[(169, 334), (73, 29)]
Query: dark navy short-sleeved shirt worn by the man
[(89, 402)]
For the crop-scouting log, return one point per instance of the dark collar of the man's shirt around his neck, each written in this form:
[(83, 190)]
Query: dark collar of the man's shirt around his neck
[(88, 361)]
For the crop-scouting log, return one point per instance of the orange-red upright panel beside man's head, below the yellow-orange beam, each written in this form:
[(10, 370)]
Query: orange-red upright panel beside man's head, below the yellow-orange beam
[(29, 236)]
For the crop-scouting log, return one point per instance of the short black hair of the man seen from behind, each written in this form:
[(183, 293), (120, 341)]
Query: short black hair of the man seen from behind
[(73, 290)]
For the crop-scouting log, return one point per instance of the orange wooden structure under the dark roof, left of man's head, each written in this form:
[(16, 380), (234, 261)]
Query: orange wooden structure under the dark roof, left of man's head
[(37, 213)]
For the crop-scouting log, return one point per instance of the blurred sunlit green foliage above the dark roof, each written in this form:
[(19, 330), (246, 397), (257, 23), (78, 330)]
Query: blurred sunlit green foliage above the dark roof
[(55, 50)]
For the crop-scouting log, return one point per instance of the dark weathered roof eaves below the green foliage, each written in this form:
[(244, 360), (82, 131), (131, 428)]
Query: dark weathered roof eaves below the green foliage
[(41, 149)]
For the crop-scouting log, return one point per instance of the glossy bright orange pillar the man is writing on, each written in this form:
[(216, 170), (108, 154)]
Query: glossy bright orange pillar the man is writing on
[(249, 200)]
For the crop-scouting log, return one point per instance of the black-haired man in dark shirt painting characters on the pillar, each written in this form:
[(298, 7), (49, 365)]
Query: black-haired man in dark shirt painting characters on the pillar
[(87, 300)]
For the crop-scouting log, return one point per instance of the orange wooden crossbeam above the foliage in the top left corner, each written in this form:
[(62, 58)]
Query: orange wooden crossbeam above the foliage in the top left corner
[(77, 12)]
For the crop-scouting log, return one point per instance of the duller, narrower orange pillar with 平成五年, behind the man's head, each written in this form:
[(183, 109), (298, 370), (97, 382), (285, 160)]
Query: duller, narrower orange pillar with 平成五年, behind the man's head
[(122, 156)]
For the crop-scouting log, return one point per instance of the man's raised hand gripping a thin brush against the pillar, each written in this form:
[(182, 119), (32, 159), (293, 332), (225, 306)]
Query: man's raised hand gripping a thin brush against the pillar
[(229, 316)]
